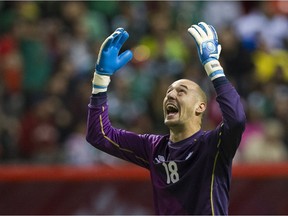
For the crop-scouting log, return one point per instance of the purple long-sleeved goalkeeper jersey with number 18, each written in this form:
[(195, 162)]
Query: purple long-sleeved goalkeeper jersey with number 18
[(188, 177)]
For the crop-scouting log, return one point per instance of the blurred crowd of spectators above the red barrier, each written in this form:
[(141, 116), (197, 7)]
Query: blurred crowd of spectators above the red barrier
[(48, 51)]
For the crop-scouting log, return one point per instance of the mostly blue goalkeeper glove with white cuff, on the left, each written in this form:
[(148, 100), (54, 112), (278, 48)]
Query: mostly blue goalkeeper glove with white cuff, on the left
[(109, 60)]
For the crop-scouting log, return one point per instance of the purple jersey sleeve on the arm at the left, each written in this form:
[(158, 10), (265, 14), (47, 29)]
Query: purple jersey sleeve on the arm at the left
[(120, 143)]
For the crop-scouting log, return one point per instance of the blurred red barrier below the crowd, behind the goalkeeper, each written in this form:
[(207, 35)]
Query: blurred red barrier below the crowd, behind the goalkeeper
[(255, 189)]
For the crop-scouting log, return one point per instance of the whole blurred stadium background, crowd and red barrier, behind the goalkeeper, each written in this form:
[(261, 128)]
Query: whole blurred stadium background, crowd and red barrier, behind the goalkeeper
[(47, 56)]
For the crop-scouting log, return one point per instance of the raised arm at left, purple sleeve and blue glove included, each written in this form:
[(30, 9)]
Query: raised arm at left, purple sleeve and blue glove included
[(100, 133)]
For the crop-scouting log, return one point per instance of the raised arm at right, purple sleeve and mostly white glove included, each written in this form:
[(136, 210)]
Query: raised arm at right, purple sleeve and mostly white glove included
[(234, 118)]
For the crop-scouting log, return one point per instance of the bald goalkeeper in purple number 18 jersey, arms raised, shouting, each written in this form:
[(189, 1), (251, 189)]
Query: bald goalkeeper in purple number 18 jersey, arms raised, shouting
[(190, 168)]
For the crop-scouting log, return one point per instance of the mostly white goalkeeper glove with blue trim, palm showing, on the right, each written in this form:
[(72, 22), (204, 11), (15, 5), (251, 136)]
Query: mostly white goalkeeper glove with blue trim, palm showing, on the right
[(208, 48)]
